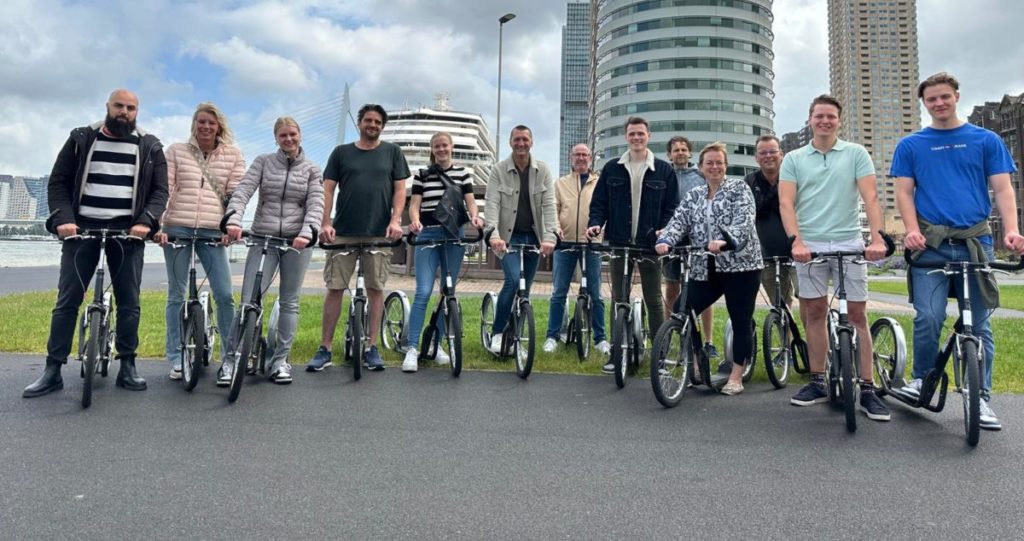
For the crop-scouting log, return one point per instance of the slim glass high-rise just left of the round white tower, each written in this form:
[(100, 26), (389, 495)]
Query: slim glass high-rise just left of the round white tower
[(576, 80)]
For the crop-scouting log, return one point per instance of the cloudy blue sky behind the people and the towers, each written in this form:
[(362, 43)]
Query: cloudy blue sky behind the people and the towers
[(261, 60)]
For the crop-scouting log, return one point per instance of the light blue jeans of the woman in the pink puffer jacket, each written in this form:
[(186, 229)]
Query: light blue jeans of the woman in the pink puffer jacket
[(219, 275)]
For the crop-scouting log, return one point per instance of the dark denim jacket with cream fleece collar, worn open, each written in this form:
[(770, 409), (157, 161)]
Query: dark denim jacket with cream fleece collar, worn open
[(612, 205)]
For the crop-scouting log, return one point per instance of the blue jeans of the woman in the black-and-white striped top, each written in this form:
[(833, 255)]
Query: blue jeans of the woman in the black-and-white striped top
[(429, 263)]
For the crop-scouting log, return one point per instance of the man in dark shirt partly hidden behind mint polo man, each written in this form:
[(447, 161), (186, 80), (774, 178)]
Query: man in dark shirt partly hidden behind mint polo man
[(764, 185)]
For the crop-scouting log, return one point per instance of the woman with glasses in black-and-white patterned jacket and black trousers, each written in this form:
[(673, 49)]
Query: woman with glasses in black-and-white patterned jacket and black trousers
[(721, 210)]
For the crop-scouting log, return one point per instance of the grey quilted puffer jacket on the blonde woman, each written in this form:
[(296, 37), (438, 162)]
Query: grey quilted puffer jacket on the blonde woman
[(291, 196)]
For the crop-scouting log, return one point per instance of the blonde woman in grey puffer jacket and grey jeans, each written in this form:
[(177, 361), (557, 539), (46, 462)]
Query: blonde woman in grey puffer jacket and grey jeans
[(291, 205)]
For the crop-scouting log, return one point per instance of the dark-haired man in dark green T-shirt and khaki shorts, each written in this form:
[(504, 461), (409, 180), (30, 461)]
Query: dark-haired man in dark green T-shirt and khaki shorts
[(369, 177)]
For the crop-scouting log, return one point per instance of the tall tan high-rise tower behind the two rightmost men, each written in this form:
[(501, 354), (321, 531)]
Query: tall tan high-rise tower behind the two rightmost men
[(873, 69)]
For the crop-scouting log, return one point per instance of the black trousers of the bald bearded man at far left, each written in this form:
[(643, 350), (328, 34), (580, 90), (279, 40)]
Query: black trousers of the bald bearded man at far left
[(123, 272)]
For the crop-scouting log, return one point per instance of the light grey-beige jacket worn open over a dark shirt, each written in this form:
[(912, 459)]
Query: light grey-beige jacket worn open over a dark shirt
[(503, 200)]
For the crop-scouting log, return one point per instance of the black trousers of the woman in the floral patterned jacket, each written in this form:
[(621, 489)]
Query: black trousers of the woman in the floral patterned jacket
[(741, 290)]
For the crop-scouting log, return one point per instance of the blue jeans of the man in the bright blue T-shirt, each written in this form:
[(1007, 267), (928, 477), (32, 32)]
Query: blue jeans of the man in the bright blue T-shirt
[(930, 295)]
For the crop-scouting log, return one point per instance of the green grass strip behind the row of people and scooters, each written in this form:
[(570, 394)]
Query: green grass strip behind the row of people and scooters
[(25, 327)]
